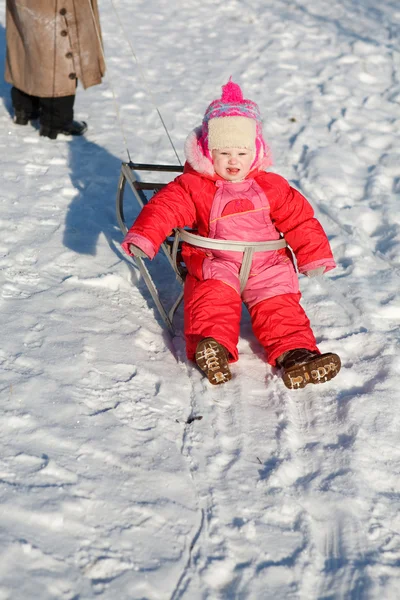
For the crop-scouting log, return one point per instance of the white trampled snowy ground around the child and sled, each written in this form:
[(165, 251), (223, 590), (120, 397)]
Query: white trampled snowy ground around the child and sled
[(110, 486)]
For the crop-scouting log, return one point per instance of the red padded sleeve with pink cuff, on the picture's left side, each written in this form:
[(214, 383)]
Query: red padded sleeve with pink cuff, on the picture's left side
[(171, 207)]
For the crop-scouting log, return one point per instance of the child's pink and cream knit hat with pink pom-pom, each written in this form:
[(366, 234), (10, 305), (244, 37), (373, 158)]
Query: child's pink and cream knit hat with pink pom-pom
[(232, 122)]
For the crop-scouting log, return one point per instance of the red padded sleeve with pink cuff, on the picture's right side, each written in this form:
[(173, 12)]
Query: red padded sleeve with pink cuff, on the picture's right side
[(293, 215)]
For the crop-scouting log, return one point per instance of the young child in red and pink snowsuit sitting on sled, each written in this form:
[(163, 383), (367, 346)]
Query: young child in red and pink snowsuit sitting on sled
[(225, 193)]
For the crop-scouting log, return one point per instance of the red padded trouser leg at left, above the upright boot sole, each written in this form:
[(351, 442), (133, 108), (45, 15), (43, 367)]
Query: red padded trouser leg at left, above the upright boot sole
[(212, 309)]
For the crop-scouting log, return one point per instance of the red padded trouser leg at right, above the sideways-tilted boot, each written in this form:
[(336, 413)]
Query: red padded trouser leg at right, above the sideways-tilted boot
[(281, 324)]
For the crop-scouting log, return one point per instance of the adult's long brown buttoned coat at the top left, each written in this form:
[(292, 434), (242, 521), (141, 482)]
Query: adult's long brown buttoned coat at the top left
[(50, 44)]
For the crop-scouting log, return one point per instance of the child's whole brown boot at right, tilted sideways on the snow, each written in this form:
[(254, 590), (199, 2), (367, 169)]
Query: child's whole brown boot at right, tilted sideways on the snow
[(301, 366)]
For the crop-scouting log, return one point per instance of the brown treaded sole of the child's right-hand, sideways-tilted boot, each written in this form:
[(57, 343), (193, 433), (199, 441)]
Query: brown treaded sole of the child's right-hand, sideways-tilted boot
[(323, 368)]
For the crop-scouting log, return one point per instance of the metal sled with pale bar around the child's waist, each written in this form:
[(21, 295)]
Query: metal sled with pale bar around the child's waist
[(171, 247)]
